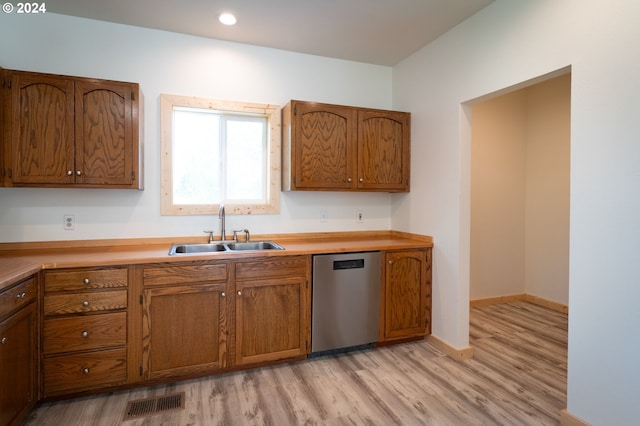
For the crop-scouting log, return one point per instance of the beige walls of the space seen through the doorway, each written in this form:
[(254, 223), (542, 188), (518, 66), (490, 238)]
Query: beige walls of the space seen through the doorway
[(520, 193)]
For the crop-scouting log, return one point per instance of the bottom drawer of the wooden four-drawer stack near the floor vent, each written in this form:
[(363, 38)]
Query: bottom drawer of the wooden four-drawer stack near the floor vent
[(79, 372)]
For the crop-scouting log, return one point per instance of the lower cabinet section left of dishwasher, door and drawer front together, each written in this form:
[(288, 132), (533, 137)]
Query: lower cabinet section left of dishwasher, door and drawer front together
[(273, 301)]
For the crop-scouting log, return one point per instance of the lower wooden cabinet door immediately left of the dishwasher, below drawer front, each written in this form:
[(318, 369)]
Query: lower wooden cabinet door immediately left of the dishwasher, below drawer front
[(271, 319)]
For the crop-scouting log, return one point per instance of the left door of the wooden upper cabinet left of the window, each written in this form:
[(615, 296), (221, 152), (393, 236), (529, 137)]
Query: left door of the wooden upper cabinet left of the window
[(41, 126)]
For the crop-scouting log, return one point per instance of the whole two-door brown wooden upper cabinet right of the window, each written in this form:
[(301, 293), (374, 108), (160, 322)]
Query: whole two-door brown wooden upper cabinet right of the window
[(341, 148)]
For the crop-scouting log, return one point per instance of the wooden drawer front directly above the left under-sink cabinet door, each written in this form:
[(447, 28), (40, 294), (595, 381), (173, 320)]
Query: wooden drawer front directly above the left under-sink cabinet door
[(183, 274)]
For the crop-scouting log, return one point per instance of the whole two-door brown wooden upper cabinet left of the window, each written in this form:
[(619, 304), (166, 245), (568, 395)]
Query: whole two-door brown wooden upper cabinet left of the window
[(66, 131)]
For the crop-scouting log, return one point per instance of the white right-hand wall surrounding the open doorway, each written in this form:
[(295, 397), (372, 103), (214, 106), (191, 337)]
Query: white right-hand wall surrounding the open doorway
[(507, 43)]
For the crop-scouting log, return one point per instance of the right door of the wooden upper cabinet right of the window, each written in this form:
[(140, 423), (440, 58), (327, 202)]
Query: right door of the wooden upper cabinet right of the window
[(383, 150)]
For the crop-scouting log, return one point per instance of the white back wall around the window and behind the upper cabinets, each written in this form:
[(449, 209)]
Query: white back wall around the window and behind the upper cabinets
[(164, 62)]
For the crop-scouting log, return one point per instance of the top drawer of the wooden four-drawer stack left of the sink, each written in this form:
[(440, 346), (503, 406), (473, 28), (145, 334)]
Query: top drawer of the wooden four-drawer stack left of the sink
[(83, 279)]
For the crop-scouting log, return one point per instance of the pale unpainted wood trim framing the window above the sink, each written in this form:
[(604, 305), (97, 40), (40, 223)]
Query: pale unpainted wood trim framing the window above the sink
[(272, 112)]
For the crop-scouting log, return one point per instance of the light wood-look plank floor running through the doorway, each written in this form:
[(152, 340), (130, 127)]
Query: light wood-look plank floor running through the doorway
[(517, 377)]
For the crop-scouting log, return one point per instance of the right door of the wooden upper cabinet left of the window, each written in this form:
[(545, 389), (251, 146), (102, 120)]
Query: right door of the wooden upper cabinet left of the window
[(105, 138)]
